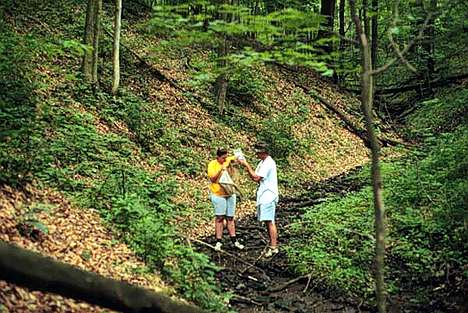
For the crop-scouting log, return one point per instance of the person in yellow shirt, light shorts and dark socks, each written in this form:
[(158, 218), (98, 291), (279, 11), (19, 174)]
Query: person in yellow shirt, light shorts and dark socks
[(224, 205)]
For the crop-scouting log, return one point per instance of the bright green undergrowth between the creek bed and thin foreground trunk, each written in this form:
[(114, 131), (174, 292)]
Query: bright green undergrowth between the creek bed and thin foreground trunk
[(334, 246)]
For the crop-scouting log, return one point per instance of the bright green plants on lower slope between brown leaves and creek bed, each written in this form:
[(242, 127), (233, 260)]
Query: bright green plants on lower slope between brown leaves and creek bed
[(144, 215)]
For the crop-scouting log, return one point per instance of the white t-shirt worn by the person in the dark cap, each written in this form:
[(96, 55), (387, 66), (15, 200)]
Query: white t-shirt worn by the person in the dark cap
[(267, 191)]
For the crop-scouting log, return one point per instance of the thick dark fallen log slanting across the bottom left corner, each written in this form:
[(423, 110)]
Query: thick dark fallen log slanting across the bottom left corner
[(36, 272)]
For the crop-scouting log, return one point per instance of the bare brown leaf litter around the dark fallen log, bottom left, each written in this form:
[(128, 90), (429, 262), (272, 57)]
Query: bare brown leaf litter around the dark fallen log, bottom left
[(44, 221)]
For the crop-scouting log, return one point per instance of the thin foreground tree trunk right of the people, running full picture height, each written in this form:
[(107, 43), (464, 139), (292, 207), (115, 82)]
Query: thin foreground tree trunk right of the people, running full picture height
[(366, 101)]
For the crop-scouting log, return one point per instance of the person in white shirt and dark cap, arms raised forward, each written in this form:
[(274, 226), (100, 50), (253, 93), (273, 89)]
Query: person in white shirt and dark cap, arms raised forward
[(267, 193)]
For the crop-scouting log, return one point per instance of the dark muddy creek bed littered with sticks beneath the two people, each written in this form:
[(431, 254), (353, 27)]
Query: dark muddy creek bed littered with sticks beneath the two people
[(266, 285)]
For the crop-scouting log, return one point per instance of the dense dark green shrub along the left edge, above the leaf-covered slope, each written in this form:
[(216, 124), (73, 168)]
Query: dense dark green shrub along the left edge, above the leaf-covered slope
[(19, 108)]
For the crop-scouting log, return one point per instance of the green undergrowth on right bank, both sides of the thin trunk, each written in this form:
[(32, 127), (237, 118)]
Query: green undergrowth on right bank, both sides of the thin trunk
[(425, 196)]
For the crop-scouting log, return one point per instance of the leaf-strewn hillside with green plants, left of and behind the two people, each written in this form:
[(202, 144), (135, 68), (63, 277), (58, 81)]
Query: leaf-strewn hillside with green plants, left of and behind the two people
[(115, 182)]
